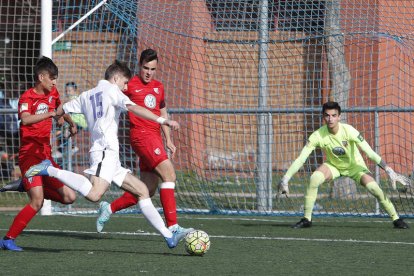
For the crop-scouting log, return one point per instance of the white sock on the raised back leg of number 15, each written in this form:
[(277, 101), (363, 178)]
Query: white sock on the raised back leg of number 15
[(74, 181)]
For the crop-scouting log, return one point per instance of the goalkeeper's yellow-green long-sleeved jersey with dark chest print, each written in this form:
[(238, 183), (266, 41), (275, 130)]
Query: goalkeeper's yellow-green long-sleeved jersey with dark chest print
[(340, 149)]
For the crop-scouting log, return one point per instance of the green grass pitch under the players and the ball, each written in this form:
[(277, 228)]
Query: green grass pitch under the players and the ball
[(69, 245)]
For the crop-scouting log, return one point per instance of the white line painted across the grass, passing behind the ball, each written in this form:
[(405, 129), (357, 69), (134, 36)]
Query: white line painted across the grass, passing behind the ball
[(220, 236)]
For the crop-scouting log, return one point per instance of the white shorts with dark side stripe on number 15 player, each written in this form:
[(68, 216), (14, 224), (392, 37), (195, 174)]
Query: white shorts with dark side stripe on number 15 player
[(105, 164)]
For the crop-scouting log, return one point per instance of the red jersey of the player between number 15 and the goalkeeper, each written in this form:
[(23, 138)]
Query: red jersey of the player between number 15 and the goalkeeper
[(150, 96)]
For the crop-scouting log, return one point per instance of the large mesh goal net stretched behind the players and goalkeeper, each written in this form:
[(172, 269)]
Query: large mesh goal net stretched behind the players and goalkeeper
[(246, 80)]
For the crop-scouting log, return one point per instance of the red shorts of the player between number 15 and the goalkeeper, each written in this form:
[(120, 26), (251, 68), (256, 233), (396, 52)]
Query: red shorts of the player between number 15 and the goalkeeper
[(150, 150)]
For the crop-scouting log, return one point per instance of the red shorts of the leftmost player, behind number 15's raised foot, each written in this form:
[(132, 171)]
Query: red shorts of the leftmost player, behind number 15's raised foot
[(48, 181)]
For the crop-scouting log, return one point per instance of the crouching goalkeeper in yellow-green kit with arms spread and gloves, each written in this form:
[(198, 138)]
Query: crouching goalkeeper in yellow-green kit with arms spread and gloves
[(340, 143)]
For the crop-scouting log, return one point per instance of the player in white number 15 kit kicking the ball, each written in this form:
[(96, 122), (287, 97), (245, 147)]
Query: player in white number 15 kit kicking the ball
[(102, 107)]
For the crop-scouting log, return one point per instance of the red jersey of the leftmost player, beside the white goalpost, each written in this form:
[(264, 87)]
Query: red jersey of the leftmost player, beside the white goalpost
[(35, 138)]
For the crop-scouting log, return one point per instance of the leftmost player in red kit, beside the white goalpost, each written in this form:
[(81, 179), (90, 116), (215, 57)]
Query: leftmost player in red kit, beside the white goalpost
[(36, 109)]
